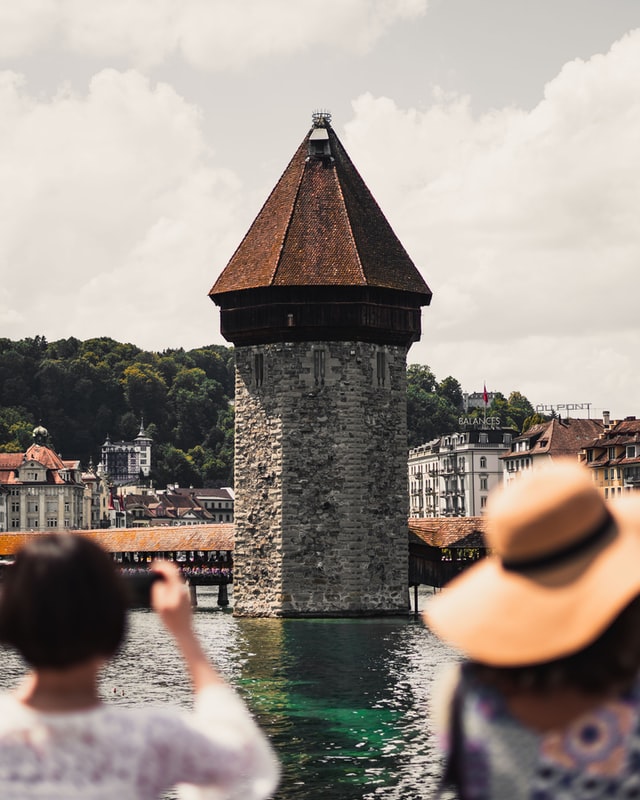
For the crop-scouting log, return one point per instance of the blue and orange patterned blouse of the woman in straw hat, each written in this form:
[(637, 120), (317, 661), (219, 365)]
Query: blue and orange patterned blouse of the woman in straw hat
[(595, 757)]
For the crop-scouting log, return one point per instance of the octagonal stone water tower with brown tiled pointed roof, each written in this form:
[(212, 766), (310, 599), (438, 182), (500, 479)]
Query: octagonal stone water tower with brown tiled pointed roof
[(322, 303)]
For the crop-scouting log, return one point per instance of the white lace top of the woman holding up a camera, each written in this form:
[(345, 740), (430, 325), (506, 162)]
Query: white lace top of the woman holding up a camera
[(135, 753)]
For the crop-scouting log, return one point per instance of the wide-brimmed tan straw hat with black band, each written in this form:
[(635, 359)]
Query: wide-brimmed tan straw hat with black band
[(563, 564)]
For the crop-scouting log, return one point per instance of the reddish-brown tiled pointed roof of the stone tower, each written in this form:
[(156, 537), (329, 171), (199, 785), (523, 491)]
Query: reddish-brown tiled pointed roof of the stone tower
[(321, 226)]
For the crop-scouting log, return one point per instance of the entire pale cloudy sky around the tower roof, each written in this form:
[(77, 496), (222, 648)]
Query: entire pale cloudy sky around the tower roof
[(139, 139)]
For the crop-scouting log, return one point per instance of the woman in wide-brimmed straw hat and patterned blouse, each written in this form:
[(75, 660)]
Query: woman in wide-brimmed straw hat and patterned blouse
[(546, 703)]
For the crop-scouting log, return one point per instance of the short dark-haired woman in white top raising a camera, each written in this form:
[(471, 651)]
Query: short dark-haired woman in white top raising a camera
[(63, 608)]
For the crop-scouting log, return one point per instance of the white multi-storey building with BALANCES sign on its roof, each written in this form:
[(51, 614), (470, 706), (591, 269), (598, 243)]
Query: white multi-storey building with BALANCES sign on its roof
[(452, 476)]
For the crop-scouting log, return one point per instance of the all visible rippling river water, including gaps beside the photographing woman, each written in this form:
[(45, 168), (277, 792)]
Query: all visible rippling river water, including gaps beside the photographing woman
[(344, 701)]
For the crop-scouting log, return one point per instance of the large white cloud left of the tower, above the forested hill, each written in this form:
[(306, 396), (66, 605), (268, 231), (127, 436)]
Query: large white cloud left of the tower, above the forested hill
[(113, 213)]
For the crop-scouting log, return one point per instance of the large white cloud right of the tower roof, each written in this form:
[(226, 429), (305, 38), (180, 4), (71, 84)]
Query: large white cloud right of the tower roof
[(525, 224)]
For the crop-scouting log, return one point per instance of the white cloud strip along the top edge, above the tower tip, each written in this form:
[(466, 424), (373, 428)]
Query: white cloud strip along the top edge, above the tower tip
[(210, 34)]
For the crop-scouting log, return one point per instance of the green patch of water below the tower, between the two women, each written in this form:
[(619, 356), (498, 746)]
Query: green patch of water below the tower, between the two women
[(345, 702)]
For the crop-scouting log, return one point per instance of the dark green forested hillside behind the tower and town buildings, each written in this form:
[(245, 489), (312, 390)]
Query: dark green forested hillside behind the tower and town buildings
[(82, 391)]
